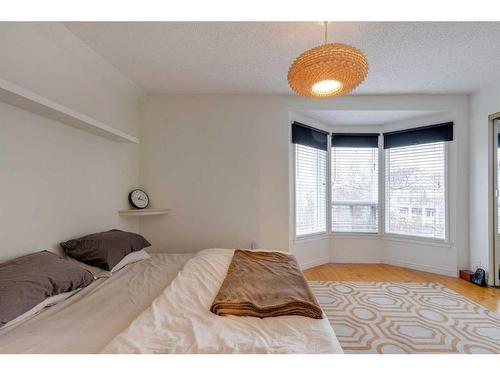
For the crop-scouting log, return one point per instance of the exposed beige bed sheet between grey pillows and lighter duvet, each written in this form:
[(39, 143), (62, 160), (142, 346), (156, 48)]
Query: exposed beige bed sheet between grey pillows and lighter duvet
[(88, 320)]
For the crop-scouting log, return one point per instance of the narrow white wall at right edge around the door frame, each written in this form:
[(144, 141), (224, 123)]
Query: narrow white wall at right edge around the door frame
[(482, 104)]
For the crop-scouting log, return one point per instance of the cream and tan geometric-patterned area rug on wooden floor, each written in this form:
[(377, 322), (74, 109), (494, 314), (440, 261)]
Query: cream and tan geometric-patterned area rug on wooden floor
[(386, 317)]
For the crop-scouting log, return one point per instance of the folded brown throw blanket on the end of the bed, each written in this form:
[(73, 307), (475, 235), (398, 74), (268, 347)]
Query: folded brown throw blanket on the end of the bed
[(265, 284)]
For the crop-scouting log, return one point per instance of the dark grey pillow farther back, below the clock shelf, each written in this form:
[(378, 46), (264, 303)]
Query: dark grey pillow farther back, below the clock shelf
[(104, 250)]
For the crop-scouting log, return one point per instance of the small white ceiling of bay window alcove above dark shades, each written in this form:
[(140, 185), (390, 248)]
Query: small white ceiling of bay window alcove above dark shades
[(363, 118)]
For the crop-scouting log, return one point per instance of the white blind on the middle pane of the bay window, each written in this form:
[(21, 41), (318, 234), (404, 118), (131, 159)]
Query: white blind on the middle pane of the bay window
[(354, 172)]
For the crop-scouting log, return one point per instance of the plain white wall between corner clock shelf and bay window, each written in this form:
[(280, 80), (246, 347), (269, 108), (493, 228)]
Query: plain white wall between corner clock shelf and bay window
[(216, 162)]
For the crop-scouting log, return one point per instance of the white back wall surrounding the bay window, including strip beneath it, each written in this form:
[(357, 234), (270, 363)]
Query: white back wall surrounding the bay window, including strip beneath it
[(222, 164)]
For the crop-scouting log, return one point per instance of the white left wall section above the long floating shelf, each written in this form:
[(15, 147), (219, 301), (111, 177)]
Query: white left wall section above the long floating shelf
[(49, 60)]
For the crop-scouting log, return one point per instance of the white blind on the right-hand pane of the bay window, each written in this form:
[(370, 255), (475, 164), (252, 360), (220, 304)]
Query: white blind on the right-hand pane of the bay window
[(415, 194)]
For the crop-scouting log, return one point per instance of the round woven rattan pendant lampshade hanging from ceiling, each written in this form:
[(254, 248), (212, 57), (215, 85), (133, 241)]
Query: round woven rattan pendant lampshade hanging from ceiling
[(336, 62)]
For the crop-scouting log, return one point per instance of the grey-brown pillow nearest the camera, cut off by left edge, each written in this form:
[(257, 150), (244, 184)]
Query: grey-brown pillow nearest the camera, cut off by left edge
[(29, 280)]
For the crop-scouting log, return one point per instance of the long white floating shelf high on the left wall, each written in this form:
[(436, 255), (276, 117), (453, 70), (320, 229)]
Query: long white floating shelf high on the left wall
[(13, 94)]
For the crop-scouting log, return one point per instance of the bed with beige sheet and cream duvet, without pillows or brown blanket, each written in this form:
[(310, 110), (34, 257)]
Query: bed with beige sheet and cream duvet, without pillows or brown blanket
[(162, 305)]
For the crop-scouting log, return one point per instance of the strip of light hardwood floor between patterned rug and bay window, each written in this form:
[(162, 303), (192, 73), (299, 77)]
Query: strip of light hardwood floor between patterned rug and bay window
[(488, 297)]
